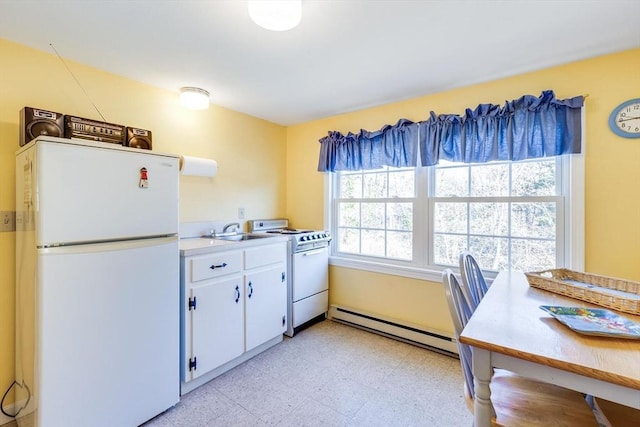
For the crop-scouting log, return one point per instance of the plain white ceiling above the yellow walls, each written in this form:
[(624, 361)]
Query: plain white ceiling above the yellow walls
[(344, 56)]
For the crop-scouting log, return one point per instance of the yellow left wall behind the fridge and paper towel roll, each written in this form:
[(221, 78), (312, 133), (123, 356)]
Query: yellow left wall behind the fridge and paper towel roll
[(250, 152)]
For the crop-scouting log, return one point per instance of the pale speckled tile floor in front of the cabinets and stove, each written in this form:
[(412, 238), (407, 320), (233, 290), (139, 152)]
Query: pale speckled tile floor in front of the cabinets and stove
[(330, 375)]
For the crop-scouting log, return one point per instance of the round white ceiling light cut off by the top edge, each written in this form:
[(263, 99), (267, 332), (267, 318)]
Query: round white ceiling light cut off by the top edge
[(275, 15)]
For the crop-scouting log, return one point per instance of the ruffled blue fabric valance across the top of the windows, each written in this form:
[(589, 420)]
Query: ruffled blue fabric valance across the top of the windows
[(525, 128)]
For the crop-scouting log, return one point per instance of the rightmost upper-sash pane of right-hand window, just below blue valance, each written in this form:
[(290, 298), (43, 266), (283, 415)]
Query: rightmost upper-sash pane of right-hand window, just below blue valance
[(534, 178)]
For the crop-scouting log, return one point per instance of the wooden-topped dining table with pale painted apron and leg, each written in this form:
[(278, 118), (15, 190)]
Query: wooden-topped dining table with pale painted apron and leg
[(508, 330)]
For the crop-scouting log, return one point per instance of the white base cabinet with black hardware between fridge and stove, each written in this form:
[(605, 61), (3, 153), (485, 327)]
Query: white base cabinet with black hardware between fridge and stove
[(234, 306)]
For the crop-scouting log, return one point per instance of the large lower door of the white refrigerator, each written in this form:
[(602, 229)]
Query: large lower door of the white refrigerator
[(108, 333)]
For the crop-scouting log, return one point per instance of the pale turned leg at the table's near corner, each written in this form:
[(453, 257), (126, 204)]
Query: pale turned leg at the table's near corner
[(482, 372)]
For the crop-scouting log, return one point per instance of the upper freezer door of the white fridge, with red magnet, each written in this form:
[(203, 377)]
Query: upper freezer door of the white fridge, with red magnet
[(88, 193)]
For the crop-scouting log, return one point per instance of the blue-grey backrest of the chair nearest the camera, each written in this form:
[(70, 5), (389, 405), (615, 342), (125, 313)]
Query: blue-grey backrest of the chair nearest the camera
[(461, 312)]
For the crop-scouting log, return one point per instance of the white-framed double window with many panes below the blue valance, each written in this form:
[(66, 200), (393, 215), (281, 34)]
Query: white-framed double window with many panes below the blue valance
[(416, 221)]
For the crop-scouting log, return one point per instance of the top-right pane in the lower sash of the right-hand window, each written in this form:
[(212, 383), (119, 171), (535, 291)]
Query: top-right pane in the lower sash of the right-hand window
[(533, 220)]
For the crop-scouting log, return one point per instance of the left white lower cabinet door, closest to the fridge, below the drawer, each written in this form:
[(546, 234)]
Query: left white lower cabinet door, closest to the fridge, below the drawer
[(217, 324)]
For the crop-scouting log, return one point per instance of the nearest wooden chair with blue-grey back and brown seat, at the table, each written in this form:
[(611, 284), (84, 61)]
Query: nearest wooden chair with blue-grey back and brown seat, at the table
[(517, 401)]
